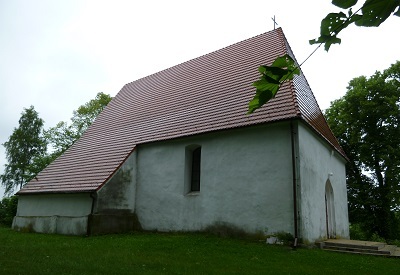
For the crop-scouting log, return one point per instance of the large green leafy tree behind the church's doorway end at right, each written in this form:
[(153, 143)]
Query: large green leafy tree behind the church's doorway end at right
[(366, 122)]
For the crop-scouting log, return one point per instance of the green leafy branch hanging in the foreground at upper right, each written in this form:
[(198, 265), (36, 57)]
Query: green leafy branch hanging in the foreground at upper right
[(373, 14)]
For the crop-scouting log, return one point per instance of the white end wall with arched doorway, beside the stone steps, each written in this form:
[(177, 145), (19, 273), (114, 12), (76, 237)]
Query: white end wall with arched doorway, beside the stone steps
[(318, 163)]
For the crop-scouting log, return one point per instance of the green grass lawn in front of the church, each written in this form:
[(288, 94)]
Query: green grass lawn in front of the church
[(155, 253)]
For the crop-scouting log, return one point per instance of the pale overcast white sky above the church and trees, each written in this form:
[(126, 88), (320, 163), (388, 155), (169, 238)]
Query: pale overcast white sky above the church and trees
[(57, 55)]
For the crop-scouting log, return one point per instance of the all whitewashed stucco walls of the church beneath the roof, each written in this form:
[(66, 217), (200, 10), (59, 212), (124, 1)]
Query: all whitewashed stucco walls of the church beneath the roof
[(246, 182)]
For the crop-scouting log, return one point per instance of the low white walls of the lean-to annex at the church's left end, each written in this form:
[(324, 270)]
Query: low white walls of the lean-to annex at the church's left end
[(113, 207)]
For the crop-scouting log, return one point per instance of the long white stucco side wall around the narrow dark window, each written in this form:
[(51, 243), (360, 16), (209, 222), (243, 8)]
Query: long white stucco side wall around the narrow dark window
[(246, 181)]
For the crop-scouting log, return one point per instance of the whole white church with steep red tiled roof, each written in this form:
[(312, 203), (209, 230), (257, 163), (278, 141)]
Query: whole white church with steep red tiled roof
[(176, 151)]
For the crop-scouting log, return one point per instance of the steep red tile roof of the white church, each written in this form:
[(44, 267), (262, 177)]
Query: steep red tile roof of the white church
[(208, 93)]
